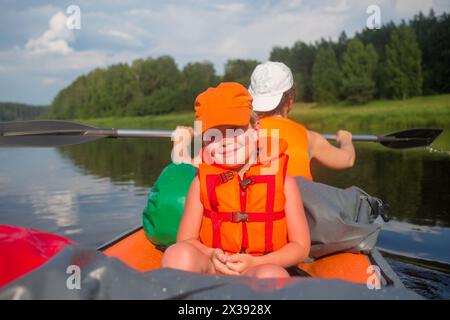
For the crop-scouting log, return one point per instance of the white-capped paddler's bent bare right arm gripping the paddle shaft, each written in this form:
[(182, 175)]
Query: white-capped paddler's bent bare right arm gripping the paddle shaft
[(330, 156)]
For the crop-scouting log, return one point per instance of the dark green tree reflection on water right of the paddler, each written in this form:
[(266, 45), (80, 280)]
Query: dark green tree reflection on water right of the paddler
[(415, 183)]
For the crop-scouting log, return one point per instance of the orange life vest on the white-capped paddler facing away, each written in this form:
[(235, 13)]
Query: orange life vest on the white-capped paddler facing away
[(296, 137)]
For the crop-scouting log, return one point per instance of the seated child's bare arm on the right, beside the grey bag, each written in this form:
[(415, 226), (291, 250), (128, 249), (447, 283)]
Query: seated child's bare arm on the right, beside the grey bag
[(297, 248)]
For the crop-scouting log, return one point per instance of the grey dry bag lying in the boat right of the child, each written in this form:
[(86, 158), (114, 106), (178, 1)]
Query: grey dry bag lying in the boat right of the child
[(341, 220)]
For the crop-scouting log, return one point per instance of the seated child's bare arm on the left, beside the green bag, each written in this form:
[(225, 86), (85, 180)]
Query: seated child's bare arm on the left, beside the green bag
[(191, 220)]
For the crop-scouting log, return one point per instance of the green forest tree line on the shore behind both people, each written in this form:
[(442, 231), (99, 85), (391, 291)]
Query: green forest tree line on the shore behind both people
[(393, 62)]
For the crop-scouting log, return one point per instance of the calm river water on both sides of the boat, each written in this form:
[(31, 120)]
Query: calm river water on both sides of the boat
[(93, 192)]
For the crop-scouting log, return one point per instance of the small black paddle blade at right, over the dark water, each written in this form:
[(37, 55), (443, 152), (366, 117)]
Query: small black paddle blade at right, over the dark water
[(413, 138)]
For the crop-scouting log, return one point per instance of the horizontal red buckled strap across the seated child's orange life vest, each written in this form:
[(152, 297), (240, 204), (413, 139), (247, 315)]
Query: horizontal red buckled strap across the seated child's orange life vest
[(243, 216)]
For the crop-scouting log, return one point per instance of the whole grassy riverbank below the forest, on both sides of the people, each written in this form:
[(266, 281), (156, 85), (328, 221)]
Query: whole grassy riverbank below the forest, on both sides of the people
[(430, 111)]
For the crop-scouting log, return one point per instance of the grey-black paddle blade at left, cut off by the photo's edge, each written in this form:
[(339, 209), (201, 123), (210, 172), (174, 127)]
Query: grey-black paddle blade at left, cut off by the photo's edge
[(44, 133)]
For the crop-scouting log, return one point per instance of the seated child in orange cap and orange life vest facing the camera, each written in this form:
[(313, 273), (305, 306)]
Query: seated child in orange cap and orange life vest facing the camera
[(240, 218)]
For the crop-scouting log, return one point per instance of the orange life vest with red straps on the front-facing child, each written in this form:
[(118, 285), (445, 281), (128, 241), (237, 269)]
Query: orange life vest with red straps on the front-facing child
[(245, 215)]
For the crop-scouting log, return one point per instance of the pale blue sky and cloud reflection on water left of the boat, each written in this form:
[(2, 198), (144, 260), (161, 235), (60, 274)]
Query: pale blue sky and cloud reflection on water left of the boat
[(39, 189)]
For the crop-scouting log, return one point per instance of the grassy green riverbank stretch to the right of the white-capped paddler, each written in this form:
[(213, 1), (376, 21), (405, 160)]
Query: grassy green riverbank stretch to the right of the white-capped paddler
[(377, 116)]
